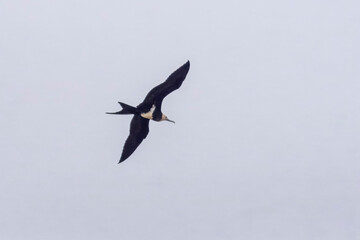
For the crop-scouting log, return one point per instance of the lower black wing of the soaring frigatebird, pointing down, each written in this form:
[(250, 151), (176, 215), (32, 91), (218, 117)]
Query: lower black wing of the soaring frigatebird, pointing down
[(139, 129)]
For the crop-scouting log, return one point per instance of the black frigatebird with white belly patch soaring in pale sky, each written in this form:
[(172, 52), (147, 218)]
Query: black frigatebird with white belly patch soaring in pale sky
[(149, 109)]
